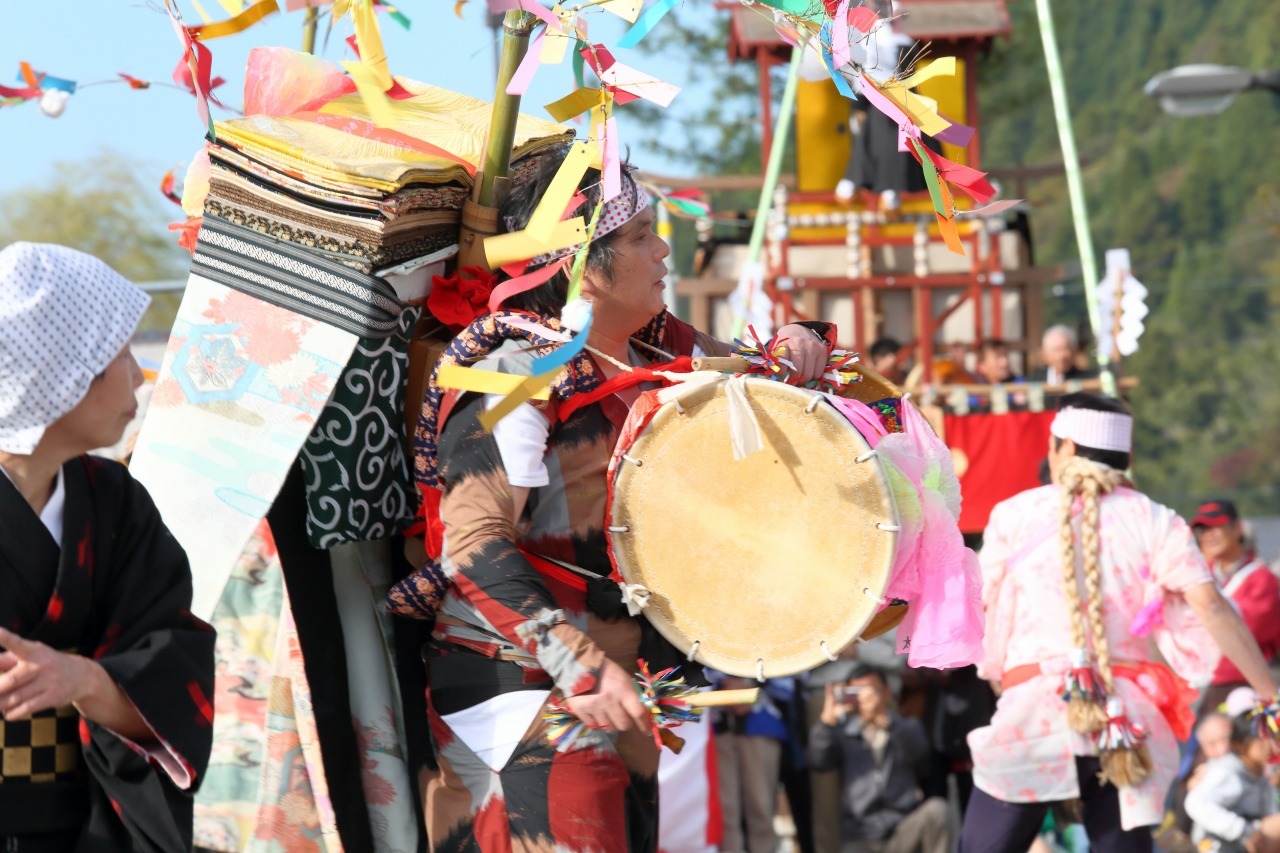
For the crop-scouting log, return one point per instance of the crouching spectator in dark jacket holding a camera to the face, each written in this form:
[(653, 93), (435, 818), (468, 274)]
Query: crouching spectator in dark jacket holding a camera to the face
[(883, 760)]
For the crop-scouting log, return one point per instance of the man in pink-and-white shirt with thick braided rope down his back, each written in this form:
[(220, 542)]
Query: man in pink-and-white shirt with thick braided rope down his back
[(1084, 582)]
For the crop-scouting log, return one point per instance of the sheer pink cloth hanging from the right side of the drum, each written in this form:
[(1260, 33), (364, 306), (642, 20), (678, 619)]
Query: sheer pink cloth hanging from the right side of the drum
[(934, 572)]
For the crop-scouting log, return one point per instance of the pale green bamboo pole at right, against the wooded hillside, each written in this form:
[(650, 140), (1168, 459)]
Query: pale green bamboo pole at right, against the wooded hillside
[(1075, 185)]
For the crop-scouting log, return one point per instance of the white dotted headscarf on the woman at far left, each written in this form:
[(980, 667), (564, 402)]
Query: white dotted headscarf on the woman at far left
[(65, 316)]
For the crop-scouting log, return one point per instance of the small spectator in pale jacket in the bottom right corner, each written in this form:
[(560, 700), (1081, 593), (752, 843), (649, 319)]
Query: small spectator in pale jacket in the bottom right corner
[(1233, 806)]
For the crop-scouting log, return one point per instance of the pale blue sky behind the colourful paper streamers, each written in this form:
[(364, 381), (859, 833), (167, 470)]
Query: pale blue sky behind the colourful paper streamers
[(94, 40)]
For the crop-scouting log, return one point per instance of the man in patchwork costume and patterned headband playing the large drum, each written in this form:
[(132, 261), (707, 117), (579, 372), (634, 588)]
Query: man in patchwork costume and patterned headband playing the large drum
[(524, 512)]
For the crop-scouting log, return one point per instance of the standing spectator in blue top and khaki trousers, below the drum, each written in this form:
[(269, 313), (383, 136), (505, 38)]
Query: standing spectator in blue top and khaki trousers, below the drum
[(749, 742)]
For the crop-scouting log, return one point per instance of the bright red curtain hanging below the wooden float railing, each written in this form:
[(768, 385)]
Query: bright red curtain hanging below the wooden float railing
[(996, 457)]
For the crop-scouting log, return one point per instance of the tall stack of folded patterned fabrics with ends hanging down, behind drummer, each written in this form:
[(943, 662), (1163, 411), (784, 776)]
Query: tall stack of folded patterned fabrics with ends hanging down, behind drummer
[(319, 239)]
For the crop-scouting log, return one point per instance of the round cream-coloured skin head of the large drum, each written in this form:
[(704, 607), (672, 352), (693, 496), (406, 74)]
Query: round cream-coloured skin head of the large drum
[(774, 559)]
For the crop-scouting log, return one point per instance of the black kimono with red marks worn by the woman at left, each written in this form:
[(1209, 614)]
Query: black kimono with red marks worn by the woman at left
[(118, 591)]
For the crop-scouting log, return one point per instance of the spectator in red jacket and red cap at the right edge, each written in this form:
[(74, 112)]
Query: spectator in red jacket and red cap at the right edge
[(1246, 581)]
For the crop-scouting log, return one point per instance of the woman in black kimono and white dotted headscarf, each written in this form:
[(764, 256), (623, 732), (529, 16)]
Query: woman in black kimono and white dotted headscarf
[(106, 677)]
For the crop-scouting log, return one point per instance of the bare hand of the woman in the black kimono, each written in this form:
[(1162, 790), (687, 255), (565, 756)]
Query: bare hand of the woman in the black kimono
[(35, 678)]
